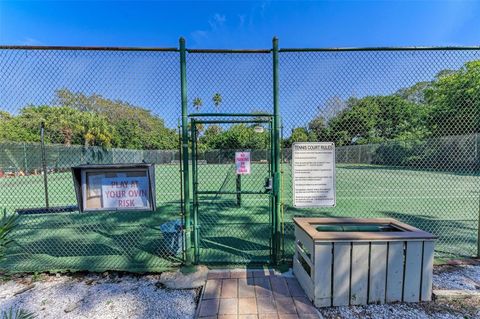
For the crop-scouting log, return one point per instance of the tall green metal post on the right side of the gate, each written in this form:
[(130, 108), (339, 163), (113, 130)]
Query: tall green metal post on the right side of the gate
[(276, 143)]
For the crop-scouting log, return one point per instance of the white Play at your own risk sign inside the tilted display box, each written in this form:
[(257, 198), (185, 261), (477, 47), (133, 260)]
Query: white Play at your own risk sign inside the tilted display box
[(125, 192)]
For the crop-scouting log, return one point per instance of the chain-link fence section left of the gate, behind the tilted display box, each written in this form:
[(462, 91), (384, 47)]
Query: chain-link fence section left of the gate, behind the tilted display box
[(98, 106)]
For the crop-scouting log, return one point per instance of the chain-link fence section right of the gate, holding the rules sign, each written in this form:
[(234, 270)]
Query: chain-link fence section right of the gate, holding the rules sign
[(405, 124)]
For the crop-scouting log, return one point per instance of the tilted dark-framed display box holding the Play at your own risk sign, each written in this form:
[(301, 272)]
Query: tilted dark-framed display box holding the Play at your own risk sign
[(115, 187)]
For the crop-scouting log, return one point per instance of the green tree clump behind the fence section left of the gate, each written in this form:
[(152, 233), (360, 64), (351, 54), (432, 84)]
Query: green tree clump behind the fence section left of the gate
[(91, 121)]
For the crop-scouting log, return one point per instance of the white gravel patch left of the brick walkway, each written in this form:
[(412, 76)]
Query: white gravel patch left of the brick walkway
[(94, 296)]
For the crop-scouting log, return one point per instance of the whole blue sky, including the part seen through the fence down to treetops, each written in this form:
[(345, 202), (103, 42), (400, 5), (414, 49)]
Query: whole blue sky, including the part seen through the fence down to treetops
[(310, 83)]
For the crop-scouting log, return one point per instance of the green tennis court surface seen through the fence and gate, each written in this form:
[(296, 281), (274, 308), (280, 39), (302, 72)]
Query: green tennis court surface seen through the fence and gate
[(443, 203)]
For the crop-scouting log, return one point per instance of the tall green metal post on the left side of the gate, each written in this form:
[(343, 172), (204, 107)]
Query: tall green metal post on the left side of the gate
[(186, 175)]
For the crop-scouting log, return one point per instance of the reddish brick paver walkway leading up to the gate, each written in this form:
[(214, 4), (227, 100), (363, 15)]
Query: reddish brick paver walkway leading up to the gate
[(258, 294)]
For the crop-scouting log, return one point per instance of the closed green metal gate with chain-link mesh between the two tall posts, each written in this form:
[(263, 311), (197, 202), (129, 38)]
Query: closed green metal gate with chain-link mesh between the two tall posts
[(233, 214)]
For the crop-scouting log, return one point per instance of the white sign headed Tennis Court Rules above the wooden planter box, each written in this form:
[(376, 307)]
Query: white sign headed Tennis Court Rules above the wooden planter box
[(313, 174)]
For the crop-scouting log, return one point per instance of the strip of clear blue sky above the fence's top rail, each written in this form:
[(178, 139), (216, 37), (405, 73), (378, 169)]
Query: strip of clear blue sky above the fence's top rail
[(246, 24)]
